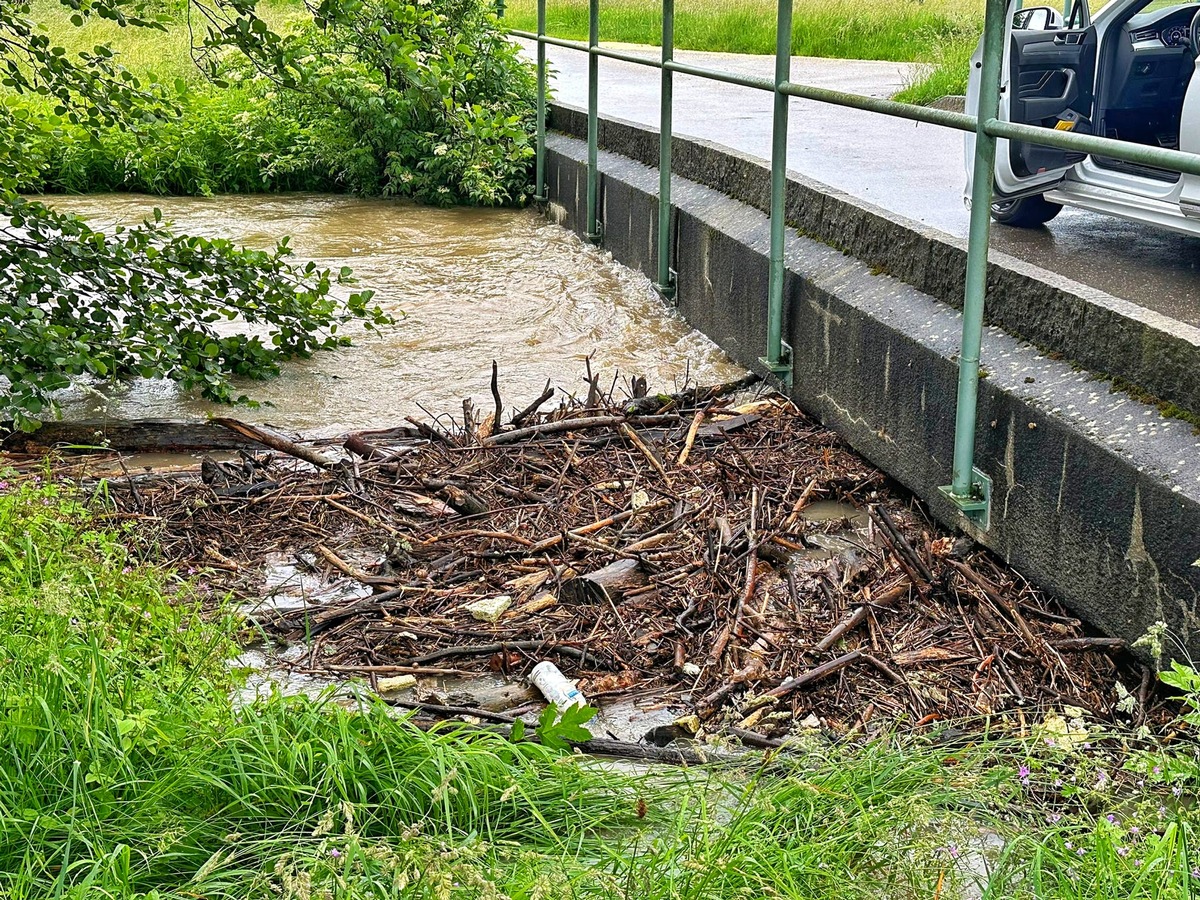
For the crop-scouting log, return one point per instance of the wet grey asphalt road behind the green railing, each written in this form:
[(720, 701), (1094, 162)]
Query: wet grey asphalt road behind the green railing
[(910, 169)]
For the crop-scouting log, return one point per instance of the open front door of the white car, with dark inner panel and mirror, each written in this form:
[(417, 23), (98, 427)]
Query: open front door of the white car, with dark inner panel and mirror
[(1049, 81)]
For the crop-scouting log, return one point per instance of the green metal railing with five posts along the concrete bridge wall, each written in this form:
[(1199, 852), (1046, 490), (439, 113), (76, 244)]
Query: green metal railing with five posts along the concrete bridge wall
[(969, 489)]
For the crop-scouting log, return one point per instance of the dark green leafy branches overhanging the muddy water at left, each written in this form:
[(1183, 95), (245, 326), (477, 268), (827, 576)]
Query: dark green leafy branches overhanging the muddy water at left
[(75, 302)]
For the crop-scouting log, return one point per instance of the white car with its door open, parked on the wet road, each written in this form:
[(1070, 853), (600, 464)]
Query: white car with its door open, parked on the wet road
[(1130, 75)]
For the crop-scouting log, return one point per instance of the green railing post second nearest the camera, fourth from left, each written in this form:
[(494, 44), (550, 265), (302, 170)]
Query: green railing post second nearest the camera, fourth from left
[(778, 359)]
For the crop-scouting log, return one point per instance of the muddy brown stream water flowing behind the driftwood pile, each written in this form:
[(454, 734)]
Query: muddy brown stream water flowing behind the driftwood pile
[(472, 286)]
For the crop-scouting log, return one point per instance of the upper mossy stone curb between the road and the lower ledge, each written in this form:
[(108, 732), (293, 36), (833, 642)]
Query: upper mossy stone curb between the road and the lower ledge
[(1101, 333)]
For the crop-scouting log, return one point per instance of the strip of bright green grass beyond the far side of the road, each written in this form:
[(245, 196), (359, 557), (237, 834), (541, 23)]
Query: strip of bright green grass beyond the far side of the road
[(939, 33)]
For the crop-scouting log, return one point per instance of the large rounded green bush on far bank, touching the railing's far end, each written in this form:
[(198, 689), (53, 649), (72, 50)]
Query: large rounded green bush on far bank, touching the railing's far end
[(425, 100)]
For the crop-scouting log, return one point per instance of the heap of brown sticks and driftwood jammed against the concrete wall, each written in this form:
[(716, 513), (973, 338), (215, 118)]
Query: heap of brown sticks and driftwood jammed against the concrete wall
[(711, 548)]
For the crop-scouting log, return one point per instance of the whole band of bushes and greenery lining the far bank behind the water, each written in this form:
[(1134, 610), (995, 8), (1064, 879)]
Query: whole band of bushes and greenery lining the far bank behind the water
[(423, 100)]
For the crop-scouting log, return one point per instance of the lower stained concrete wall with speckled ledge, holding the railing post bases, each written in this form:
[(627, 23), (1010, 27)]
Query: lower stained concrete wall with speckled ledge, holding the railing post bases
[(1097, 497)]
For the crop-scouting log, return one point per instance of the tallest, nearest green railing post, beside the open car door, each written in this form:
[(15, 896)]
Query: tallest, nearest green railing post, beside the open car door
[(970, 489)]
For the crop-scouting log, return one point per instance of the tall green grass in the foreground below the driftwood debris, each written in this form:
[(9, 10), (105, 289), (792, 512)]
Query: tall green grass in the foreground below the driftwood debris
[(127, 773)]
